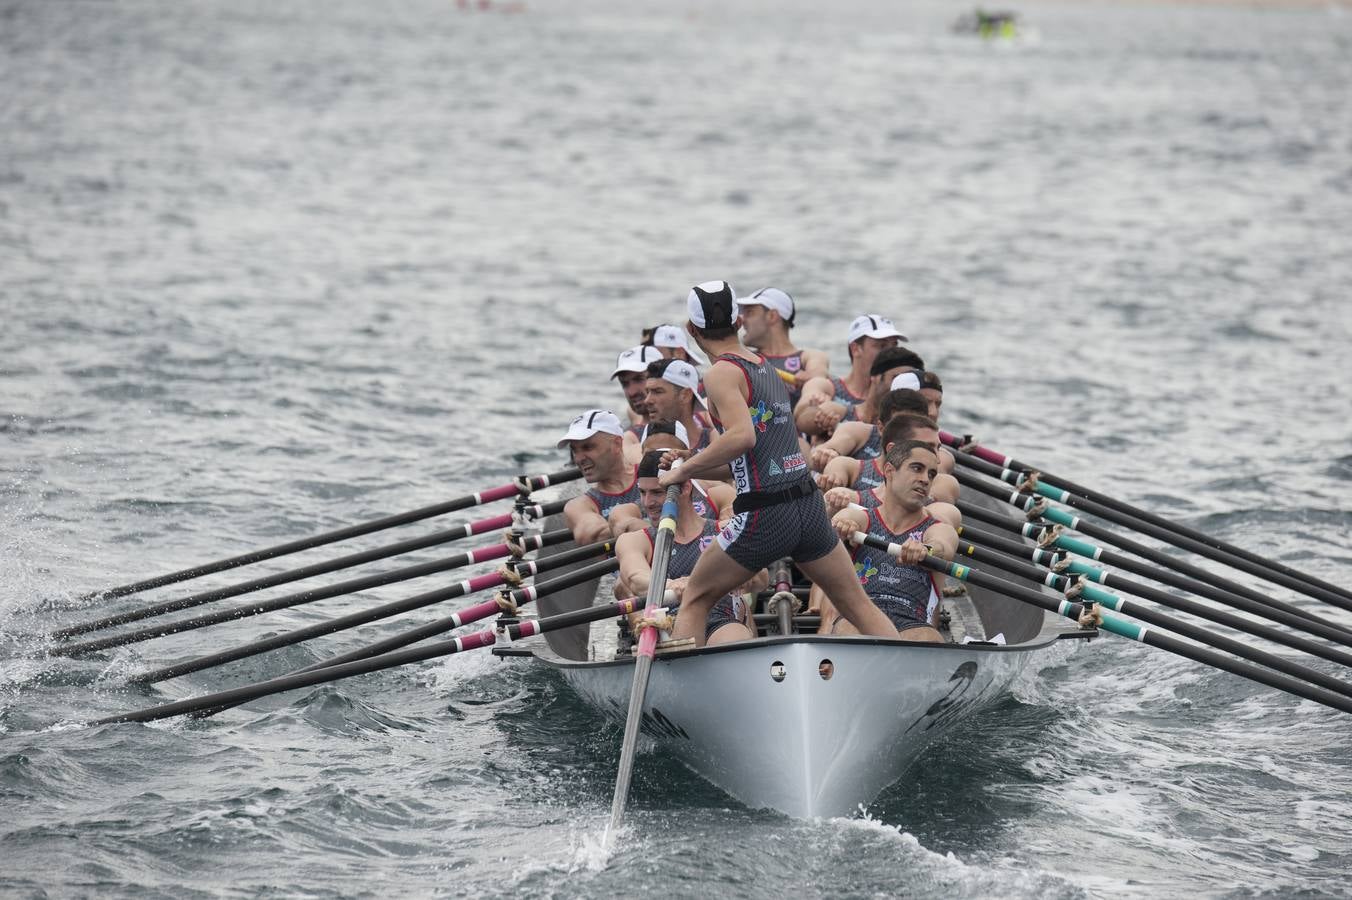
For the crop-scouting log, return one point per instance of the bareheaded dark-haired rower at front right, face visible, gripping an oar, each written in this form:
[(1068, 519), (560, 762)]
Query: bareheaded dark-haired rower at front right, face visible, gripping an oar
[(900, 586)]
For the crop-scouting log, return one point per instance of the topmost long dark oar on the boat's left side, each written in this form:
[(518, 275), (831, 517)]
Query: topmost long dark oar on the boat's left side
[(523, 486)]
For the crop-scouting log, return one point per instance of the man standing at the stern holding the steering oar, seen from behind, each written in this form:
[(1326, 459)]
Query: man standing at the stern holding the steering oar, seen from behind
[(783, 516)]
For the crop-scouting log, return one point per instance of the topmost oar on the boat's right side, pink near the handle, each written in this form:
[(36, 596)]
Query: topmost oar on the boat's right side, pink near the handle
[(1263, 568)]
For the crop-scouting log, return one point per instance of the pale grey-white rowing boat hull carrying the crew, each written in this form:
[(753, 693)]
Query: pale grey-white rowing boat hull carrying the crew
[(806, 725)]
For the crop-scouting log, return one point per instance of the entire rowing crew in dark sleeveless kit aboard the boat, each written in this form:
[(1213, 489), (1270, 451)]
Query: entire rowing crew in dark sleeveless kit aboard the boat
[(877, 448)]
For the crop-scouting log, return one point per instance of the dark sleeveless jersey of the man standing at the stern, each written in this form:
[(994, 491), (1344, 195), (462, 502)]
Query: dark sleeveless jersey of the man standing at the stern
[(777, 461)]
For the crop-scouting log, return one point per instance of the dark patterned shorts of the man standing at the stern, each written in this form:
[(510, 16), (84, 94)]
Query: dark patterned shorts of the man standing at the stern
[(798, 529)]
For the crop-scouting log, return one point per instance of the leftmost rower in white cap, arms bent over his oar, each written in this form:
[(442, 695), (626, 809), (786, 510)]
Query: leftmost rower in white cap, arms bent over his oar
[(596, 447)]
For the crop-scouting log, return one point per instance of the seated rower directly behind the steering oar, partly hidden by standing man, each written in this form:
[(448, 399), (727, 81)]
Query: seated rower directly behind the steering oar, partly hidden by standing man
[(694, 533)]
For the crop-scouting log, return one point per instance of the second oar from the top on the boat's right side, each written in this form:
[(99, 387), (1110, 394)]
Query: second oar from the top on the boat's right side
[(1204, 547)]
